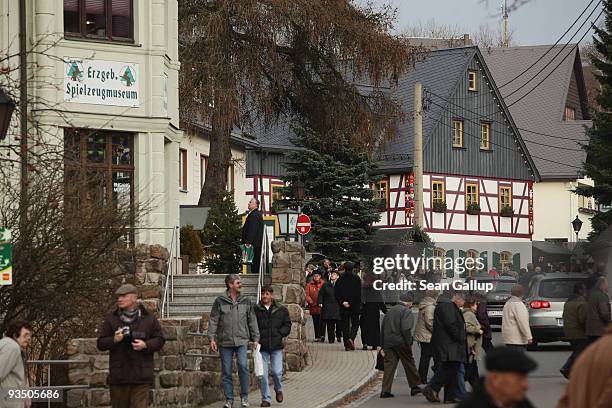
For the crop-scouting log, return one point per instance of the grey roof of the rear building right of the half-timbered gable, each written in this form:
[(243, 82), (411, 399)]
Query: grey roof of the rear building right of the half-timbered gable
[(542, 110)]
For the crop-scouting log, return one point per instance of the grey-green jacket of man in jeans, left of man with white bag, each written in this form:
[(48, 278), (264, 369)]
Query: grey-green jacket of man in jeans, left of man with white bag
[(233, 324)]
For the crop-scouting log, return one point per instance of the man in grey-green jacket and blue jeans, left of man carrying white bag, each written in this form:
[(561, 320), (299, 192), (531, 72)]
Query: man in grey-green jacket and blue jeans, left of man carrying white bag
[(231, 326)]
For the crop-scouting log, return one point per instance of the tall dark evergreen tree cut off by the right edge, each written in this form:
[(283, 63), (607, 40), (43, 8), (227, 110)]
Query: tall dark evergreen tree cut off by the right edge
[(599, 150)]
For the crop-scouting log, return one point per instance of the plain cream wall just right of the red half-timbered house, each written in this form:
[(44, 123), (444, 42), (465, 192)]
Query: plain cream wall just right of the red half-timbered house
[(555, 207)]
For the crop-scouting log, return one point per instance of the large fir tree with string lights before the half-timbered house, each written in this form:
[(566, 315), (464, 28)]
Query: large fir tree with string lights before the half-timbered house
[(338, 197)]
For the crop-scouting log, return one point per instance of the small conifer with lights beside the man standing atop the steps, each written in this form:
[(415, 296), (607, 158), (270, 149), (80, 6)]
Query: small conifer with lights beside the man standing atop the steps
[(221, 237)]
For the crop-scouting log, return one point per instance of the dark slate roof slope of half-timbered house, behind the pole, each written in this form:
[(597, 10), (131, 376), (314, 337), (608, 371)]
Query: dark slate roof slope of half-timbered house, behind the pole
[(438, 72)]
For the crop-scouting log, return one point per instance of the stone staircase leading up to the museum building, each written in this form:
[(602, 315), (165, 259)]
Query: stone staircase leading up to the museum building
[(194, 294)]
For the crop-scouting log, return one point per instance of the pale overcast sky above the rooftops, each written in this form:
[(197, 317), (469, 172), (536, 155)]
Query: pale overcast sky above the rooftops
[(538, 22)]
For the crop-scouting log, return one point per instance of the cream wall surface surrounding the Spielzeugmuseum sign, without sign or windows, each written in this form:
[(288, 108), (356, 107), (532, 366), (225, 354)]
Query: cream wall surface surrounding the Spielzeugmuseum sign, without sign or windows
[(154, 122)]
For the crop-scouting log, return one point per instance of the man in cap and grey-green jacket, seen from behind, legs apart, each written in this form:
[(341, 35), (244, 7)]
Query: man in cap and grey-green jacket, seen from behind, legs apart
[(396, 339)]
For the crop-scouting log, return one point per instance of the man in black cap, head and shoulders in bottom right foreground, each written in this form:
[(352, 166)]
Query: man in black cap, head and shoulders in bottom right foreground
[(505, 384)]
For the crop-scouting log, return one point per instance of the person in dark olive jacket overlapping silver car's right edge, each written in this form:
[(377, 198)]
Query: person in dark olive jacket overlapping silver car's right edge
[(574, 325)]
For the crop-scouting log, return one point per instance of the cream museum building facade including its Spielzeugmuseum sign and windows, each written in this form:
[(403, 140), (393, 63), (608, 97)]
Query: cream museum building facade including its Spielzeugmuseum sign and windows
[(109, 70)]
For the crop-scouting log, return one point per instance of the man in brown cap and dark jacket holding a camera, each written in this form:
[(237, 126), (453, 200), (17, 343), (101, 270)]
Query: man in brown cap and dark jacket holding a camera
[(131, 334)]
